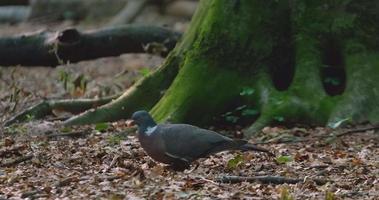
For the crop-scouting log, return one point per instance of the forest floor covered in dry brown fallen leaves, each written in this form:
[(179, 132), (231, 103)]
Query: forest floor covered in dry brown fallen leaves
[(41, 159)]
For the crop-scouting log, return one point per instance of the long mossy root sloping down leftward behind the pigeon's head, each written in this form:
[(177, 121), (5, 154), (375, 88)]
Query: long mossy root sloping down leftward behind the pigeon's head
[(143, 95)]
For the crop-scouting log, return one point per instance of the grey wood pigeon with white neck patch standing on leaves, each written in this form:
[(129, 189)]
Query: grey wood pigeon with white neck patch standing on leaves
[(180, 144)]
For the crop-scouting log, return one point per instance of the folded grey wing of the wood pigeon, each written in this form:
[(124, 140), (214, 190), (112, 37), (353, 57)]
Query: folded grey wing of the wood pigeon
[(190, 142)]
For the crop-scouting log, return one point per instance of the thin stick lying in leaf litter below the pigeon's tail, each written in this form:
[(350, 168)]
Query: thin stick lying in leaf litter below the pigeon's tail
[(265, 180)]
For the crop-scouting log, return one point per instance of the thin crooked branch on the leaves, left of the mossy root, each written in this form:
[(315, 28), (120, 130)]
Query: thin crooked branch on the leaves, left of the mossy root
[(46, 107)]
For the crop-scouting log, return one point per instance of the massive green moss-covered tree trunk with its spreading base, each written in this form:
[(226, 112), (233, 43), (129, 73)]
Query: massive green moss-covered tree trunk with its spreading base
[(263, 62)]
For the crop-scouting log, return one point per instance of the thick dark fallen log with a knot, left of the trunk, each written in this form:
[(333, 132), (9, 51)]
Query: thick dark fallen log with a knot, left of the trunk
[(70, 45)]
